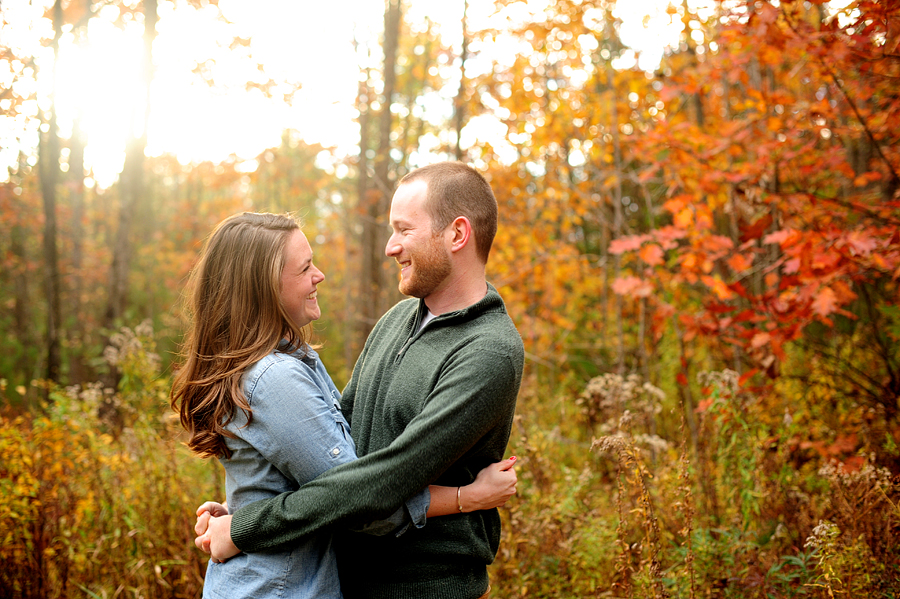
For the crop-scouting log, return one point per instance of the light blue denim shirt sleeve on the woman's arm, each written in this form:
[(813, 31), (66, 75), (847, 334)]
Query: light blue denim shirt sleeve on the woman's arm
[(297, 426)]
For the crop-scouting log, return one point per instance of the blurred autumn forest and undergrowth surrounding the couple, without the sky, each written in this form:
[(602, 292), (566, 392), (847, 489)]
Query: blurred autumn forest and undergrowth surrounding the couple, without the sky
[(702, 260)]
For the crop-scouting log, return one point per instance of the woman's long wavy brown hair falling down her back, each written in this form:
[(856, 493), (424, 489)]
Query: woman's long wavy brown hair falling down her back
[(236, 318)]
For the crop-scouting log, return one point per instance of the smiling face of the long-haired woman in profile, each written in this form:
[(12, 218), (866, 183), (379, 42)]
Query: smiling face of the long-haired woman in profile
[(299, 279)]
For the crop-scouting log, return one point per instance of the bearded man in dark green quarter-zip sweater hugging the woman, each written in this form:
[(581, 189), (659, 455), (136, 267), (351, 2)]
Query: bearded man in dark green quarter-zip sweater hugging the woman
[(431, 400)]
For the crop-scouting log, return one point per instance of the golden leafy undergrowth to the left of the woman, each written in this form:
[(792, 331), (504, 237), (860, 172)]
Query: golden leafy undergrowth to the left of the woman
[(87, 509)]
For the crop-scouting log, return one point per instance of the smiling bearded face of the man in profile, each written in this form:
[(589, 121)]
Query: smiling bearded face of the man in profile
[(422, 256)]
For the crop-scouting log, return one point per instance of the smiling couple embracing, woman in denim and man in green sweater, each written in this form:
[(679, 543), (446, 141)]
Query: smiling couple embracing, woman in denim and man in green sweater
[(390, 489)]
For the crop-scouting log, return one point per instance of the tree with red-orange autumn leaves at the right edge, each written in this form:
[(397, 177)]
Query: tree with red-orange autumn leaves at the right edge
[(782, 199)]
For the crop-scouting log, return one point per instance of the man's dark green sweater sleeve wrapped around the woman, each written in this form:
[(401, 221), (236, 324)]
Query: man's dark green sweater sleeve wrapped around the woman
[(475, 394)]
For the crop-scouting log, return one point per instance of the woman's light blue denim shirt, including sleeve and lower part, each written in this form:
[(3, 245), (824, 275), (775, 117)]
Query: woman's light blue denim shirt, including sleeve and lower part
[(297, 432)]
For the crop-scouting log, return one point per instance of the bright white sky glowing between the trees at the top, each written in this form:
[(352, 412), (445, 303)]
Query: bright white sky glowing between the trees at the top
[(297, 40)]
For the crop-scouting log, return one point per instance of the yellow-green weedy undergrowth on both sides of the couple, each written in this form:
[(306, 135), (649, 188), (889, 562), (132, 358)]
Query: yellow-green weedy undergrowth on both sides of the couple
[(622, 493)]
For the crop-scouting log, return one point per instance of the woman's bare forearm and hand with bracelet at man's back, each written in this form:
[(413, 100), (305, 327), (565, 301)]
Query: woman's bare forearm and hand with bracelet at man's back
[(493, 486)]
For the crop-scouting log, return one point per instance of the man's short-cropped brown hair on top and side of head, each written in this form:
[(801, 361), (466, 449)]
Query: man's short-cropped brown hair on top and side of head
[(456, 189)]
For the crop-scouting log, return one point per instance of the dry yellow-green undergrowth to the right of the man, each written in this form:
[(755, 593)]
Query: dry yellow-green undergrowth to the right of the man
[(621, 497)]
